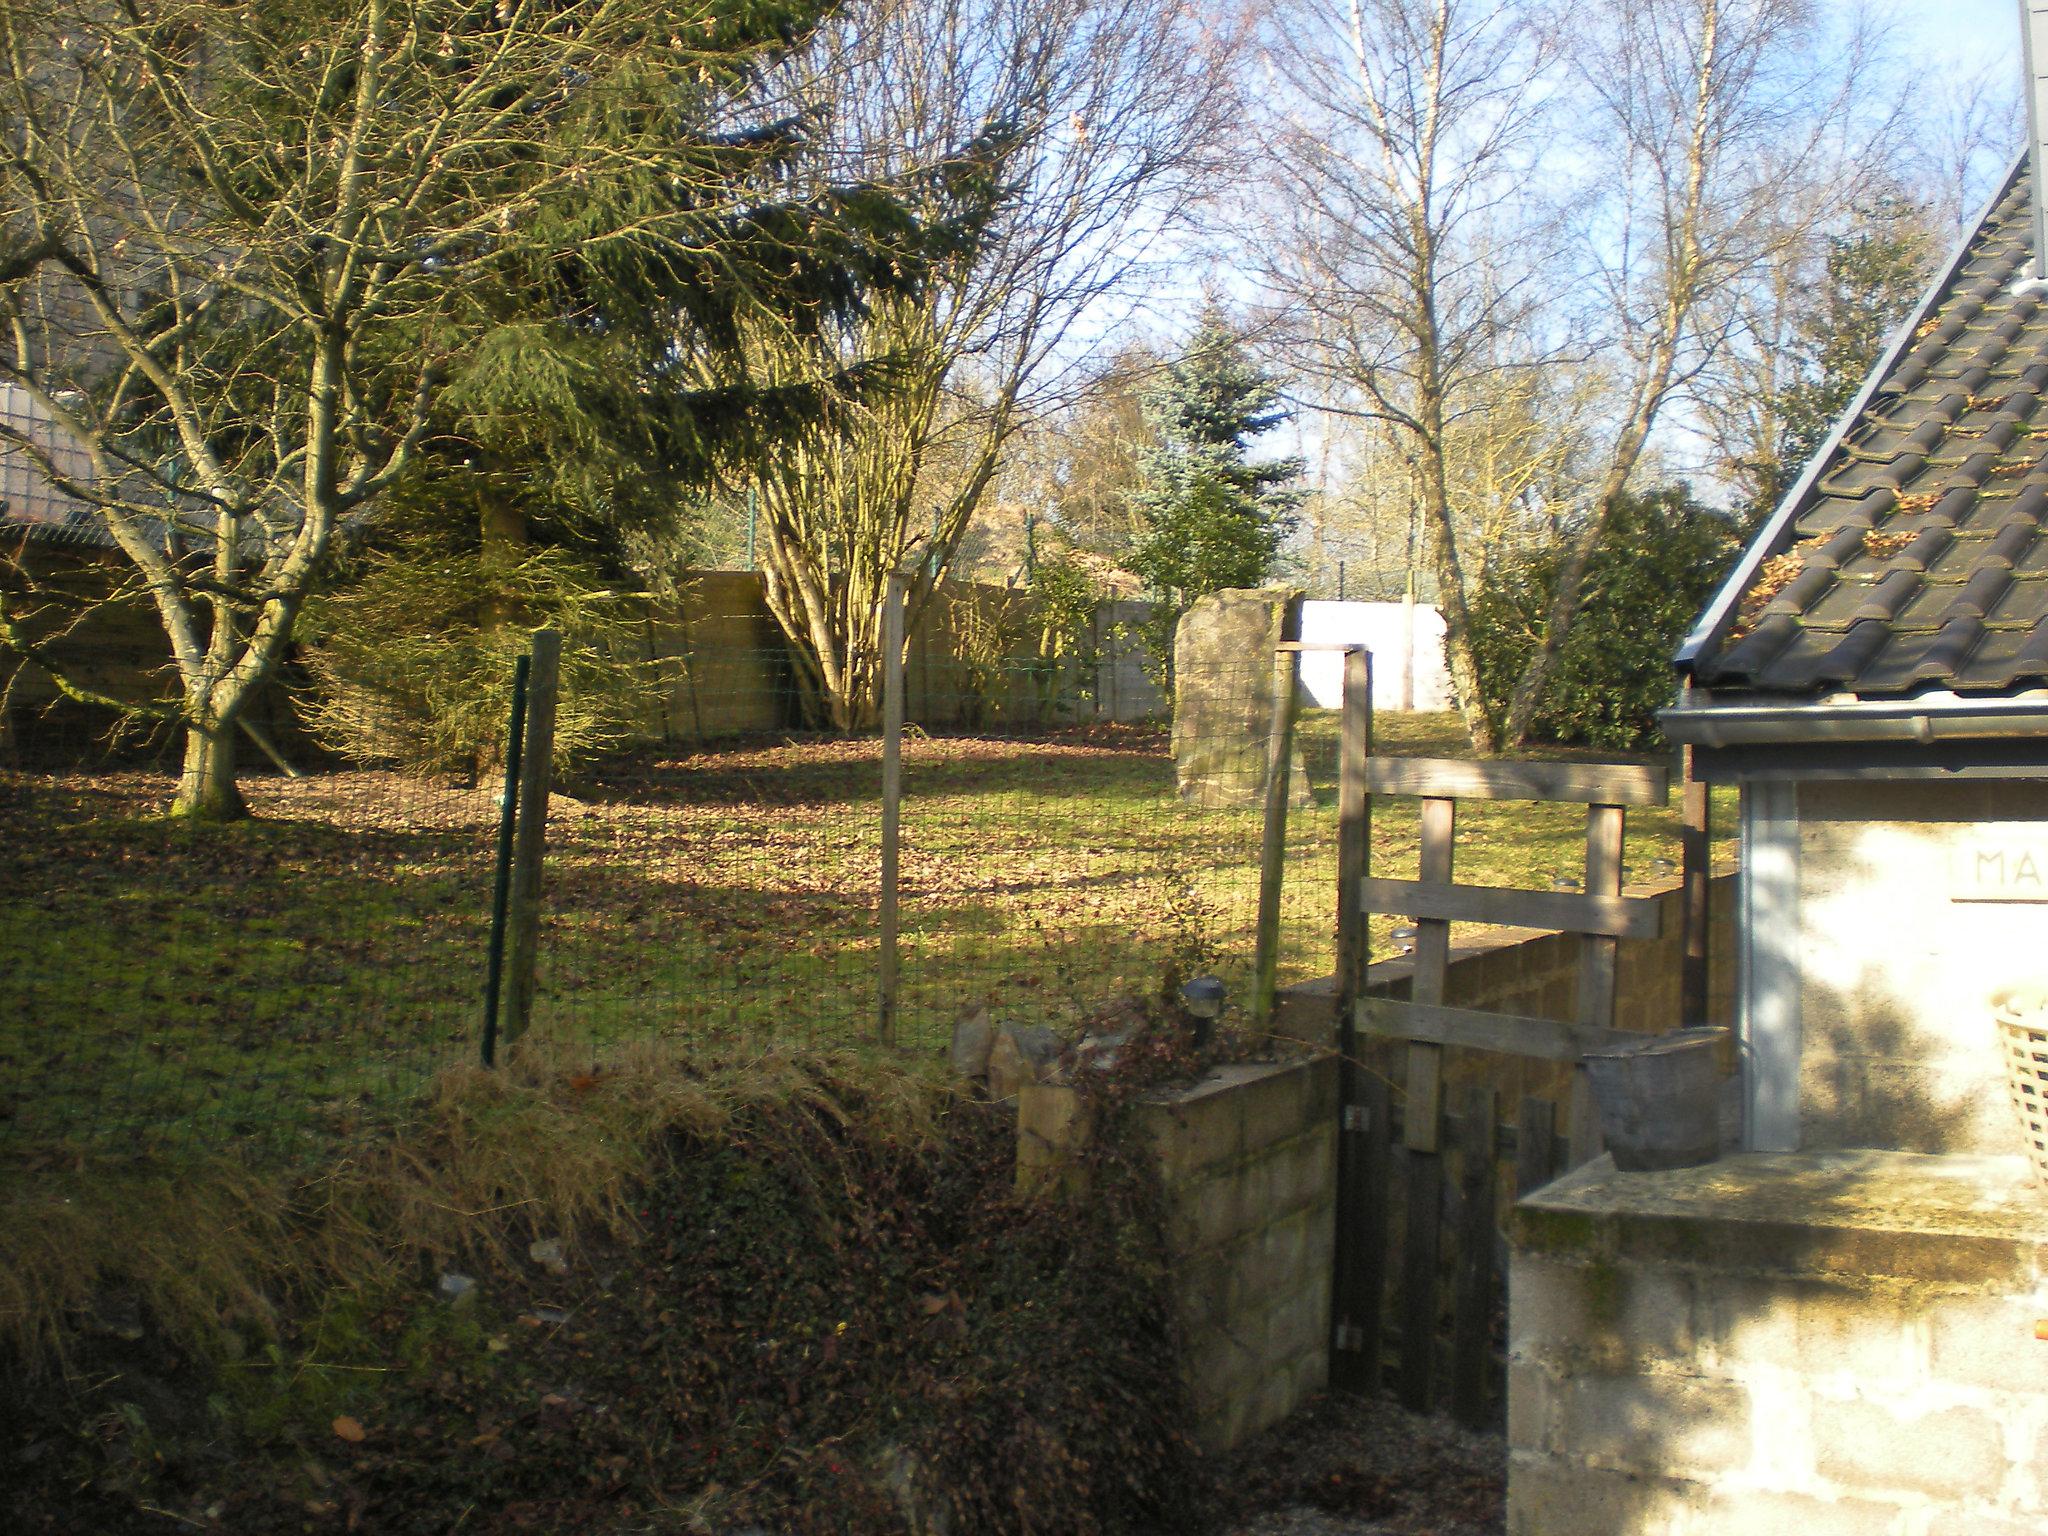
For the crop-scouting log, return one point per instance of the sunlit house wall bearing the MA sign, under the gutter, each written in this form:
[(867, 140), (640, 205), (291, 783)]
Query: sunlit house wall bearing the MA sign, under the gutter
[(1897, 957)]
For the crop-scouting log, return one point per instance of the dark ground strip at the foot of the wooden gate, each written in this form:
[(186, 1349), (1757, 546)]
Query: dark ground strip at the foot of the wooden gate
[(1365, 1467)]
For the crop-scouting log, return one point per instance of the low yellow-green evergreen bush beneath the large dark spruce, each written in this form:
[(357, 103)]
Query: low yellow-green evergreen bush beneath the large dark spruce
[(413, 660)]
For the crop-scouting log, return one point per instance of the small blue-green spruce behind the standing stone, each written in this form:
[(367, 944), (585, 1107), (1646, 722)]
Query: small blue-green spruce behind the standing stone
[(1211, 517)]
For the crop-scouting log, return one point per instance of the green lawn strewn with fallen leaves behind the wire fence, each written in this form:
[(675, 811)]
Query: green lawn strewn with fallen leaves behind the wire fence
[(288, 980)]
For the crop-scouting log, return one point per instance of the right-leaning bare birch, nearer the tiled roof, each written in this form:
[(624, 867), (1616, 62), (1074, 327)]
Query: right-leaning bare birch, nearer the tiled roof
[(1721, 132)]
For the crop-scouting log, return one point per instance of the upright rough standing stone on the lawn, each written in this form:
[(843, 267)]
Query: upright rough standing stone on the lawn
[(1224, 699)]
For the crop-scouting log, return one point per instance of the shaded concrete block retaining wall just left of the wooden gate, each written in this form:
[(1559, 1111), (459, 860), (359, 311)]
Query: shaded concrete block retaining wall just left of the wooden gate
[(1248, 1162)]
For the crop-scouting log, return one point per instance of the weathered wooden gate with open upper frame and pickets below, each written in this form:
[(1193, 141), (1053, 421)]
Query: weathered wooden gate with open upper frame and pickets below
[(1422, 1158)]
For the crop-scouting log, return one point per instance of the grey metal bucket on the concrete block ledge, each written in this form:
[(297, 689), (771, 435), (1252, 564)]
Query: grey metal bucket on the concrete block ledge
[(1660, 1103)]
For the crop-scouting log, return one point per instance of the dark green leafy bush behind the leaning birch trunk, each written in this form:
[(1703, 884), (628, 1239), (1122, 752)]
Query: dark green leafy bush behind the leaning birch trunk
[(1658, 564)]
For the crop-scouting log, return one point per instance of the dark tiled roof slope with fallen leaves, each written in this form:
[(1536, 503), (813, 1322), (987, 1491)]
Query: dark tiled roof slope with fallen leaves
[(1918, 556)]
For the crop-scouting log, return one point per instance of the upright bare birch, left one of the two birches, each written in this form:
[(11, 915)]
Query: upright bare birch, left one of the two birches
[(1410, 269)]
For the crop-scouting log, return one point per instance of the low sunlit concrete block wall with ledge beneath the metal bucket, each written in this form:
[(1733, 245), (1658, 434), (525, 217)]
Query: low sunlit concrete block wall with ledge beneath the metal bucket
[(1781, 1365)]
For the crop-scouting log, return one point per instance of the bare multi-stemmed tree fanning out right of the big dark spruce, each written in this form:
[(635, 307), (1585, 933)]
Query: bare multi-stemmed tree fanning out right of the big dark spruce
[(1105, 120)]
